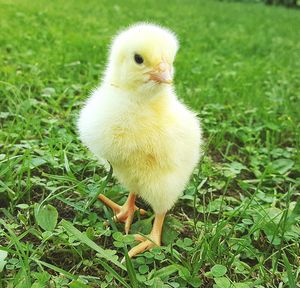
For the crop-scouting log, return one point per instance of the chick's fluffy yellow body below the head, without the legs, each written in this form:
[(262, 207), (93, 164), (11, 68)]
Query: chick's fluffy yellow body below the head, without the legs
[(152, 145)]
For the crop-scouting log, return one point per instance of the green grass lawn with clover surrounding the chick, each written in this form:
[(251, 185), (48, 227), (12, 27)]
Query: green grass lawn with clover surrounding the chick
[(237, 224)]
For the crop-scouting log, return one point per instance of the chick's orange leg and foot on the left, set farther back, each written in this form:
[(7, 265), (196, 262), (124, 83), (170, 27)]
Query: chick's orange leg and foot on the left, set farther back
[(123, 213)]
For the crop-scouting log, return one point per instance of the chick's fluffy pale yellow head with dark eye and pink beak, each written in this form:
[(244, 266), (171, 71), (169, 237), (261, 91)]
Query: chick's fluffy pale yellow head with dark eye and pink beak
[(141, 58)]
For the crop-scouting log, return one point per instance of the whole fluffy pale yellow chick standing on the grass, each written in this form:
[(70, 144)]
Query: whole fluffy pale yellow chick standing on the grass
[(135, 121)]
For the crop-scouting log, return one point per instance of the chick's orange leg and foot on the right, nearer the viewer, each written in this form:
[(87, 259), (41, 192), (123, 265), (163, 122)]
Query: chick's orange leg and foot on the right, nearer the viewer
[(155, 236)]
